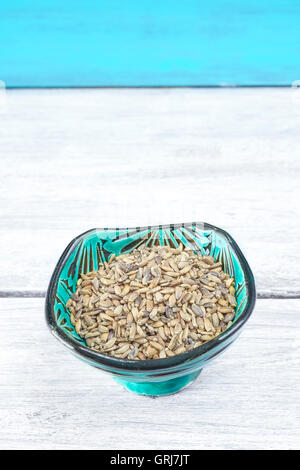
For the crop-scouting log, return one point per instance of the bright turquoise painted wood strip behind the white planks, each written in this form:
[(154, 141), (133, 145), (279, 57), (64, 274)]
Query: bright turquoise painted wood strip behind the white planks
[(149, 43)]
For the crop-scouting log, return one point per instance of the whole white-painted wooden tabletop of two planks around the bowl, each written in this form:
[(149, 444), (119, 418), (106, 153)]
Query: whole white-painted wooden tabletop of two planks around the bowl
[(71, 160)]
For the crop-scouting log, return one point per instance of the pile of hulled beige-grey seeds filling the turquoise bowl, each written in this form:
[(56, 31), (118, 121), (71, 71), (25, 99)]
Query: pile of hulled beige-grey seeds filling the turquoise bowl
[(153, 303)]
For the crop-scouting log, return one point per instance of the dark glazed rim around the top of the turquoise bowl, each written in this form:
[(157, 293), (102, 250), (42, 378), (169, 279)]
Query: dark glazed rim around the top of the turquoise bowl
[(148, 364)]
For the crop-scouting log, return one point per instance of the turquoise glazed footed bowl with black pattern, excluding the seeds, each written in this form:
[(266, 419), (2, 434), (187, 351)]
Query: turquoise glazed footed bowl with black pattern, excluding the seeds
[(157, 376)]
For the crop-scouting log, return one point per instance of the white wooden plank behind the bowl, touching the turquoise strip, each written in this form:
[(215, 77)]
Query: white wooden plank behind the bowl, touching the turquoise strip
[(72, 160)]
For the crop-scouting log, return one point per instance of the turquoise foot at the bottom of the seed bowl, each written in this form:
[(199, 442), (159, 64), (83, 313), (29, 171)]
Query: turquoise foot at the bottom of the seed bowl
[(158, 389)]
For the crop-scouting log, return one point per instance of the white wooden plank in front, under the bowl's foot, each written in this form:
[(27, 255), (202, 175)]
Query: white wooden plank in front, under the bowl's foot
[(247, 399)]
